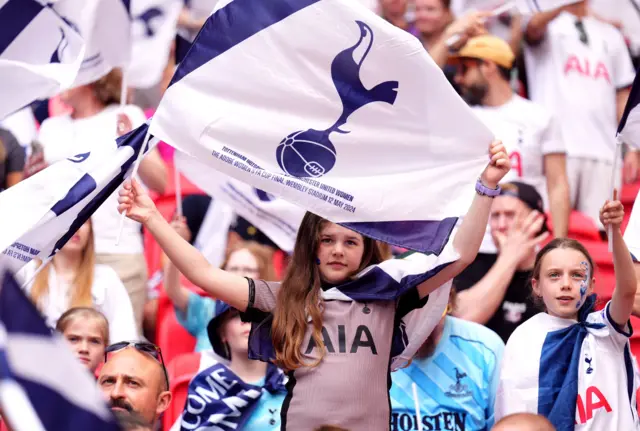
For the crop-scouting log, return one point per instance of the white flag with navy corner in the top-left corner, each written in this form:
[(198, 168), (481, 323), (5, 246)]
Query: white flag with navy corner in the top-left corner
[(40, 53)]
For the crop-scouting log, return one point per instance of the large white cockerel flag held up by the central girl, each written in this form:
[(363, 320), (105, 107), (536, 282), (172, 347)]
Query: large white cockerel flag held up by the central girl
[(329, 106)]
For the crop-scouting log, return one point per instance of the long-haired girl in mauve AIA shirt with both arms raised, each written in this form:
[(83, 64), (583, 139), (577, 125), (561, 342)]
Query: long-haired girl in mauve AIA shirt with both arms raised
[(341, 319)]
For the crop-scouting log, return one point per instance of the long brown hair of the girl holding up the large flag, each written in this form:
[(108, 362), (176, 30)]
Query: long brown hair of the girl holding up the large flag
[(299, 295)]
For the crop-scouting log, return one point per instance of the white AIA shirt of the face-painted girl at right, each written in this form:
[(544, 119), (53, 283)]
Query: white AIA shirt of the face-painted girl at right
[(603, 398)]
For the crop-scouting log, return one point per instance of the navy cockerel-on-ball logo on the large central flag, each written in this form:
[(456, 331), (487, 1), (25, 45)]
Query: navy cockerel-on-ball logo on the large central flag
[(310, 153)]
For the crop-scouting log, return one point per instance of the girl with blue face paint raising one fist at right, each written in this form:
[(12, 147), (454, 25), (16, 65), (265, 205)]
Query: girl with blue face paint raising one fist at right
[(570, 363)]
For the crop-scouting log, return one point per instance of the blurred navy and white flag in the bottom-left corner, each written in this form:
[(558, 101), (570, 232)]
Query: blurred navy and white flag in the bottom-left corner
[(42, 385)]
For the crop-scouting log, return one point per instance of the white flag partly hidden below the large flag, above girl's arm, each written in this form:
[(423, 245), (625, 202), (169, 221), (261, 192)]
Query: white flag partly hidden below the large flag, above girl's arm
[(275, 217)]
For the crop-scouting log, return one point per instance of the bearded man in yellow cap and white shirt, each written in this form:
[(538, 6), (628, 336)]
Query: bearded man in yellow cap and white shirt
[(527, 130)]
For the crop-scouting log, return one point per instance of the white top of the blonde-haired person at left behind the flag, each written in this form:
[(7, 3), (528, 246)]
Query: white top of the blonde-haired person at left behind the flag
[(109, 297)]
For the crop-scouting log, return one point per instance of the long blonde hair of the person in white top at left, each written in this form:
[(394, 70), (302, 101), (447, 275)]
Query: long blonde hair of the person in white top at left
[(82, 283)]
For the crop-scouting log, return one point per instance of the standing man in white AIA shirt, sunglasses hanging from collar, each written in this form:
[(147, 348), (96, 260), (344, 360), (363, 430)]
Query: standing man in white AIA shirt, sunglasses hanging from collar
[(580, 69)]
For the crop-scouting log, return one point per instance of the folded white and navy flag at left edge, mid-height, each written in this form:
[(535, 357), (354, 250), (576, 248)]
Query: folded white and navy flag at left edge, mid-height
[(41, 213)]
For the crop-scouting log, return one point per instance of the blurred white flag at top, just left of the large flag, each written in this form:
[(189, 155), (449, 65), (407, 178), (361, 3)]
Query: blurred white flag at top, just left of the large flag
[(153, 31)]
